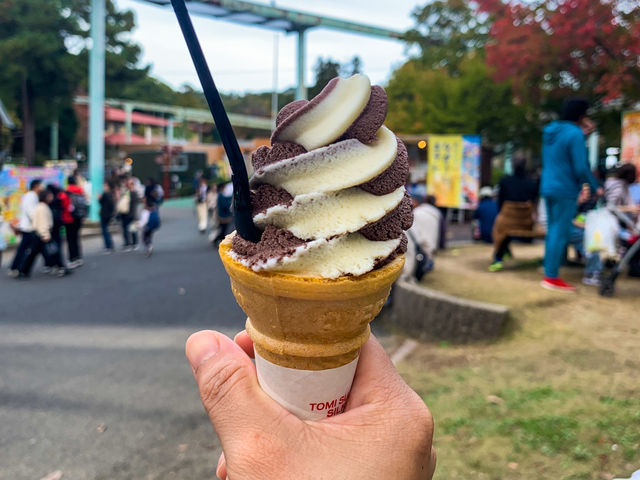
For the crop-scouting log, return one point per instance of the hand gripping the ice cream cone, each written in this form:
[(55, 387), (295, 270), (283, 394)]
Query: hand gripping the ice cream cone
[(385, 432)]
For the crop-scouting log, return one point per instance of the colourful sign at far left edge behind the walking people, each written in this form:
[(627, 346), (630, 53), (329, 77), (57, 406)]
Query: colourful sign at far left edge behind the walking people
[(14, 182)]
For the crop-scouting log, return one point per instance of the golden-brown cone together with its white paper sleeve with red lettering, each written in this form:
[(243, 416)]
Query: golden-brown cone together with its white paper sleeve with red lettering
[(307, 331)]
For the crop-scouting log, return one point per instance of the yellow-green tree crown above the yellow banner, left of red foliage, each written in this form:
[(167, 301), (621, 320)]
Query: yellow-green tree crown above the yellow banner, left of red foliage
[(424, 100)]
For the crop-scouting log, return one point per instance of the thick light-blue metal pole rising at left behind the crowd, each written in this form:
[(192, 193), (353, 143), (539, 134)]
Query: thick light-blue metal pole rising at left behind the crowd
[(96, 104)]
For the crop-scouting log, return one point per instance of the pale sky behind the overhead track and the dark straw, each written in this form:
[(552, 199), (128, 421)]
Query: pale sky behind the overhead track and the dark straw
[(241, 57)]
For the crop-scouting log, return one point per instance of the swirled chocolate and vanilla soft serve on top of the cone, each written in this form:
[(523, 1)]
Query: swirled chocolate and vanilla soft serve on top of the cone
[(329, 194)]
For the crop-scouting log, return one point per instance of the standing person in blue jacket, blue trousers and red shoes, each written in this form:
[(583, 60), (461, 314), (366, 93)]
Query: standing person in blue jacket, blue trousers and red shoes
[(565, 169)]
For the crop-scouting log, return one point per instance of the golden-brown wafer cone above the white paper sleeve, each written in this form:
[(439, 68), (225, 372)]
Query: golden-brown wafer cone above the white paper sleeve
[(308, 323)]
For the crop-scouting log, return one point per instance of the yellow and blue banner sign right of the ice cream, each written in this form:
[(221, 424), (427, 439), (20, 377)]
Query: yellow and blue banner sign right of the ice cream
[(453, 170)]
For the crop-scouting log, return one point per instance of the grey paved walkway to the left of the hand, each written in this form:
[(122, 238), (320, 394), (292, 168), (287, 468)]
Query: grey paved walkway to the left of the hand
[(93, 379)]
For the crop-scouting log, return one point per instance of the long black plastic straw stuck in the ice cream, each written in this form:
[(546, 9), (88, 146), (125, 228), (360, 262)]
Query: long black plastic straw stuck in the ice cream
[(241, 195)]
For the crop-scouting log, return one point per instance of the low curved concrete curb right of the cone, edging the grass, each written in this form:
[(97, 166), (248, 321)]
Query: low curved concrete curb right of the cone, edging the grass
[(431, 315)]
